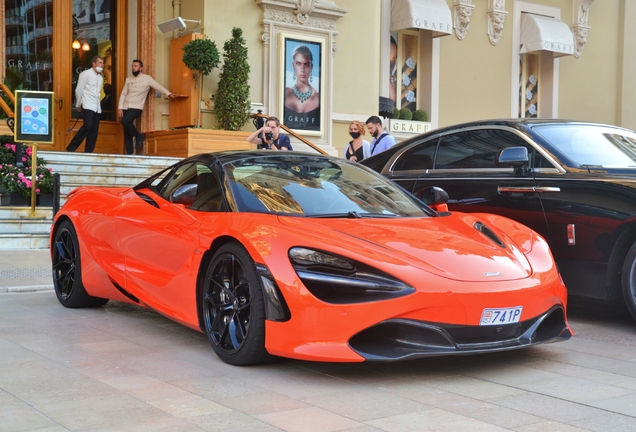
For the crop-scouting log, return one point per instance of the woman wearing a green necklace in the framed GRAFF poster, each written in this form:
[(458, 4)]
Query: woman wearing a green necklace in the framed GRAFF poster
[(302, 100)]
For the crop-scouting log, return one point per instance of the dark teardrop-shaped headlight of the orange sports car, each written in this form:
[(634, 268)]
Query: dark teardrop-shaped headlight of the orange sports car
[(335, 279)]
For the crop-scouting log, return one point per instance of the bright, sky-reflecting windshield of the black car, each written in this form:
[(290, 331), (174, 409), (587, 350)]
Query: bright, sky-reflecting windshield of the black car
[(591, 145)]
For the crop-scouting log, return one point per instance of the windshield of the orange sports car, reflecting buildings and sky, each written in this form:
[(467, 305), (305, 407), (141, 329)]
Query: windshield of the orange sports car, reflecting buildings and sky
[(315, 186)]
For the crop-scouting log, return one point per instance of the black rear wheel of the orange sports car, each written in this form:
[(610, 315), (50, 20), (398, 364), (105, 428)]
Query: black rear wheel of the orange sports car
[(67, 270)]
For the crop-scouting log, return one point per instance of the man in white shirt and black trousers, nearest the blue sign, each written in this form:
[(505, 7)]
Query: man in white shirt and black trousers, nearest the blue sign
[(88, 98)]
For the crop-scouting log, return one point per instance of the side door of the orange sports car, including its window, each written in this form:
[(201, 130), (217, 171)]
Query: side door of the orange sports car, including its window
[(160, 239)]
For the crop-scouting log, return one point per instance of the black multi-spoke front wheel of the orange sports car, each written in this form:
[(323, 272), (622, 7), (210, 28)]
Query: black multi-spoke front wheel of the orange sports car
[(233, 307)]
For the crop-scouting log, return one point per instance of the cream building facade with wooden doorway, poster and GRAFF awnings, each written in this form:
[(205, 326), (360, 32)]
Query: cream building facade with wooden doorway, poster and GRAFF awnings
[(457, 60)]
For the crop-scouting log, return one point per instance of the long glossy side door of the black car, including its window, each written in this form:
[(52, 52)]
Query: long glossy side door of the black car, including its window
[(464, 166)]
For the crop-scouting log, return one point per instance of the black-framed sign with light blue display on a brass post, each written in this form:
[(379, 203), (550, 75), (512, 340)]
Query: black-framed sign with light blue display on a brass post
[(33, 116)]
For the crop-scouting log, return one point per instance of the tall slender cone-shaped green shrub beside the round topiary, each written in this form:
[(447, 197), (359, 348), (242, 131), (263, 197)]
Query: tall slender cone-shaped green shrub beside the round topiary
[(232, 105)]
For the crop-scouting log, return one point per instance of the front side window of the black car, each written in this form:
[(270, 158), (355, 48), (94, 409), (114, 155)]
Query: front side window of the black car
[(479, 148)]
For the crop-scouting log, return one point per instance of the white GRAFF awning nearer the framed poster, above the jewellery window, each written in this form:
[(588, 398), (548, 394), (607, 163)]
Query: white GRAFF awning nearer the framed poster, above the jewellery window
[(433, 15)]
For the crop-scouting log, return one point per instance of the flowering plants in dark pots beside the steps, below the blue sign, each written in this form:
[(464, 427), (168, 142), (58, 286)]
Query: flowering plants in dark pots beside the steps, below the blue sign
[(16, 181)]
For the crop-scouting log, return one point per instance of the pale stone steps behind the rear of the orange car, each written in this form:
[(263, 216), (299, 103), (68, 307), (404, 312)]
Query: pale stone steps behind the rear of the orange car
[(18, 230)]
